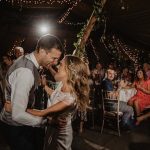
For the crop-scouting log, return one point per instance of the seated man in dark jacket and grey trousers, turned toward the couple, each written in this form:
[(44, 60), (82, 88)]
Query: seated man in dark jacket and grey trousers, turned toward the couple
[(107, 85)]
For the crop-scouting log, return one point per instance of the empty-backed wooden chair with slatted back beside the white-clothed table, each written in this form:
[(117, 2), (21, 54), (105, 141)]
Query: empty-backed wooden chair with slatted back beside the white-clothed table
[(110, 114)]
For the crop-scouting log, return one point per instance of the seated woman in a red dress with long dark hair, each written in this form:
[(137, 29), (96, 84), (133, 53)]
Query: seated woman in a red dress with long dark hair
[(142, 97)]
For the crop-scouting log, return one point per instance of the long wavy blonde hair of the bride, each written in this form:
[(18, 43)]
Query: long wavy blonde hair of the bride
[(77, 71)]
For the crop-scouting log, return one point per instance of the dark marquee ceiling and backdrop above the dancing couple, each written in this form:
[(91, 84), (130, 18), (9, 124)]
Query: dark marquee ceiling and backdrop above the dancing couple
[(128, 19)]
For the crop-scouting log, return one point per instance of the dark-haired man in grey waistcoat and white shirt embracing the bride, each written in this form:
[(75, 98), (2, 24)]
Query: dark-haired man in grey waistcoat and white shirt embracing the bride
[(21, 81)]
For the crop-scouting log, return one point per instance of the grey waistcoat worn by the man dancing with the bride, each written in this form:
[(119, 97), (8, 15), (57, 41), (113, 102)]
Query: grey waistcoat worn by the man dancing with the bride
[(22, 62)]
